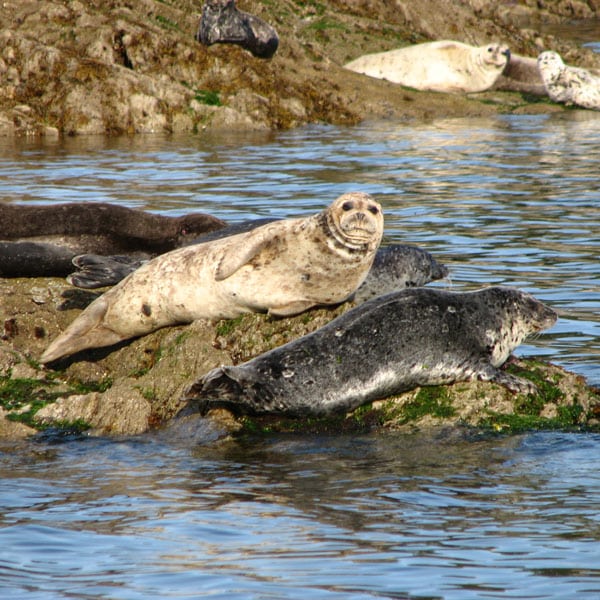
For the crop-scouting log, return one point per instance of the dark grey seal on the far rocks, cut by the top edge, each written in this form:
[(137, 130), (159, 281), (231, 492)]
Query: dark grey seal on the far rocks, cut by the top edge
[(222, 23)]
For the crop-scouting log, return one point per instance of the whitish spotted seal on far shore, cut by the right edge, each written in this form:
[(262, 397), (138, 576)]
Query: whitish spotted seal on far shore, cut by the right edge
[(568, 85)]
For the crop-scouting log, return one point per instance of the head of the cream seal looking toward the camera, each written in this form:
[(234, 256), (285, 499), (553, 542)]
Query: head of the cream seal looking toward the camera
[(355, 220)]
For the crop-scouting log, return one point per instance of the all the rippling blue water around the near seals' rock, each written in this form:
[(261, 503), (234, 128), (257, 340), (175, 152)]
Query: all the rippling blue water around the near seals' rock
[(509, 200)]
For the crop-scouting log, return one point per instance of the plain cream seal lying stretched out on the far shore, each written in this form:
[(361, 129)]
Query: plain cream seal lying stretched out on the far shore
[(442, 66)]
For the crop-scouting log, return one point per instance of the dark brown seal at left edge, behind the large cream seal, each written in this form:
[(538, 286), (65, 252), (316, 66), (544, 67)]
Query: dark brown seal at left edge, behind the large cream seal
[(38, 241)]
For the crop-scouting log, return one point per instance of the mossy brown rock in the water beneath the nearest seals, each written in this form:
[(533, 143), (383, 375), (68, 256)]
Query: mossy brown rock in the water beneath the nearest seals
[(138, 386)]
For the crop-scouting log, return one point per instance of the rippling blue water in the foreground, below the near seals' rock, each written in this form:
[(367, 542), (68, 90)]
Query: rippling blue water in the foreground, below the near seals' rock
[(394, 516)]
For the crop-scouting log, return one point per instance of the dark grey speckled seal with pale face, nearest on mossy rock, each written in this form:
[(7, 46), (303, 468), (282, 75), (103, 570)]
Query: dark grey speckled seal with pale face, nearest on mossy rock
[(383, 347)]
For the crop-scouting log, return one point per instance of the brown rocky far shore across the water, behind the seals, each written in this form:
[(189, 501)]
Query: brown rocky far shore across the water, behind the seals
[(116, 67)]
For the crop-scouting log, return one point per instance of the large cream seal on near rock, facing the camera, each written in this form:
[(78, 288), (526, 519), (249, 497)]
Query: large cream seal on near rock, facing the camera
[(282, 268)]
